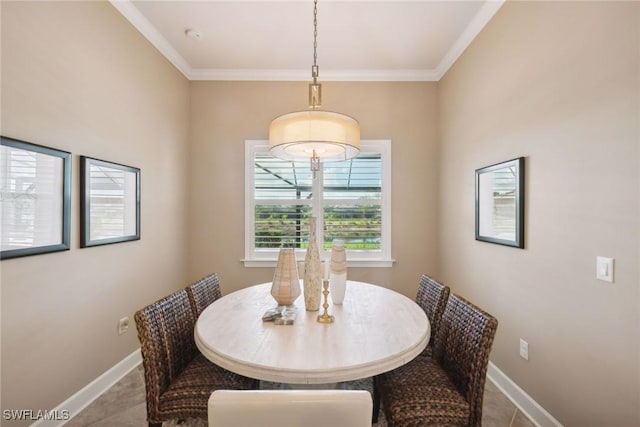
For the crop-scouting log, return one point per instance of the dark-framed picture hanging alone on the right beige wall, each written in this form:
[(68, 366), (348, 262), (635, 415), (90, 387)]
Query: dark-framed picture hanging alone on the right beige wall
[(500, 203)]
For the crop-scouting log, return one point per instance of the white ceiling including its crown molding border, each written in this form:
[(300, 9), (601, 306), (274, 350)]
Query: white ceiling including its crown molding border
[(358, 40)]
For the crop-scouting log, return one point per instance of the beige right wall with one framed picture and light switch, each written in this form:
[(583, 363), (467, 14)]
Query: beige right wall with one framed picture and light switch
[(558, 83)]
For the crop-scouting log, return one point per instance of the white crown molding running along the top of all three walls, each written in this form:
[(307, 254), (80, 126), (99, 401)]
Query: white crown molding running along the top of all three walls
[(140, 22)]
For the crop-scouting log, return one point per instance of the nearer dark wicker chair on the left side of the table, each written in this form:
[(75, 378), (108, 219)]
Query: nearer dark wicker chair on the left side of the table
[(178, 379)]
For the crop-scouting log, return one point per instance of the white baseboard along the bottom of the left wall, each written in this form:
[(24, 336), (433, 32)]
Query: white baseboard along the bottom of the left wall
[(80, 400)]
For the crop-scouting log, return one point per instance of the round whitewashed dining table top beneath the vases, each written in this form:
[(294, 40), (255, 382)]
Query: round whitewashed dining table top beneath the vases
[(375, 330)]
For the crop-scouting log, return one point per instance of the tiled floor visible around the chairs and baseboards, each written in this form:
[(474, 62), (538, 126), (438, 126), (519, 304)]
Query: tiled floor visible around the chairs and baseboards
[(123, 405)]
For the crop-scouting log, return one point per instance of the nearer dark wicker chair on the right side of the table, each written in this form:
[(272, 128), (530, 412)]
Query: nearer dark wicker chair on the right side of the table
[(447, 388)]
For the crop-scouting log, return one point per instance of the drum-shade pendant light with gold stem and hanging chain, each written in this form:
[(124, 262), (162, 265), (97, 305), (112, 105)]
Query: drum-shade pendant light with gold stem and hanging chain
[(314, 134)]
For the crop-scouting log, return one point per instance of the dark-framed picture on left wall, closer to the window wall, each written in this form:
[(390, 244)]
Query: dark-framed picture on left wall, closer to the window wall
[(109, 202)]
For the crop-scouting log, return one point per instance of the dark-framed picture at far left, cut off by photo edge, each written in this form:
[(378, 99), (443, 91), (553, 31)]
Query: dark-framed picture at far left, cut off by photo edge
[(35, 186)]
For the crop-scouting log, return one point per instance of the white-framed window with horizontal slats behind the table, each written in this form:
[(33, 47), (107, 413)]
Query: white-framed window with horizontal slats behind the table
[(351, 200)]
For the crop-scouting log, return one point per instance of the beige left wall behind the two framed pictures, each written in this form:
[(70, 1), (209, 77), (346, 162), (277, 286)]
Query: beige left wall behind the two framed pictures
[(78, 77)]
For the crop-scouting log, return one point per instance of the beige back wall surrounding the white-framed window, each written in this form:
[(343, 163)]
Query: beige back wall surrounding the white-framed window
[(225, 114)]
